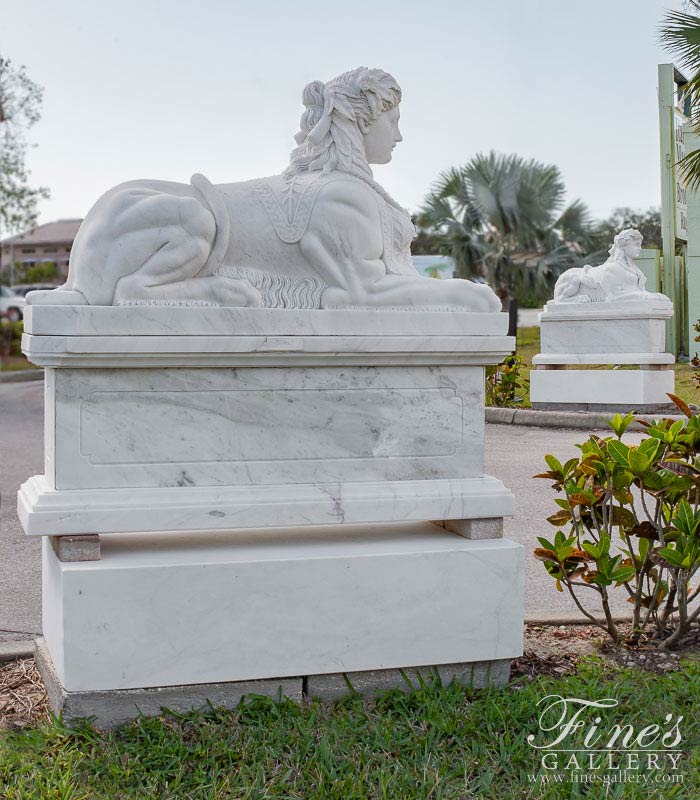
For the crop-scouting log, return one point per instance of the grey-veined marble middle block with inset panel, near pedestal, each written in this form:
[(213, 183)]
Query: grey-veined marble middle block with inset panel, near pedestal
[(235, 427)]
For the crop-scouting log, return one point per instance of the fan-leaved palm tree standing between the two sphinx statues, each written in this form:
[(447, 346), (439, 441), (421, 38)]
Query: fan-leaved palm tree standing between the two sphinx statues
[(501, 218)]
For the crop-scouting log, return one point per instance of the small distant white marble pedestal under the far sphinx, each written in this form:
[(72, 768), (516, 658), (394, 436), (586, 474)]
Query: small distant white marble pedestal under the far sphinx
[(629, 335)]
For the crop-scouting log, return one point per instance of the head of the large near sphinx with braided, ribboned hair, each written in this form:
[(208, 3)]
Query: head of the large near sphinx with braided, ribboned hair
[(350, 122)]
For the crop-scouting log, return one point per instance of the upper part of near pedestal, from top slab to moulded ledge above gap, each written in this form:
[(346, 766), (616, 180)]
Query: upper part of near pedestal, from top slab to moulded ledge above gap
[(305, 418)]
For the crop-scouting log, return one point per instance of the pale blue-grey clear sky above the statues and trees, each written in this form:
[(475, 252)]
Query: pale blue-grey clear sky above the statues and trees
[(166, 89)]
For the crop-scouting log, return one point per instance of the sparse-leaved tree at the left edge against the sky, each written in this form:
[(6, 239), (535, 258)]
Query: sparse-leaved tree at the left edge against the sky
[(20, 108)]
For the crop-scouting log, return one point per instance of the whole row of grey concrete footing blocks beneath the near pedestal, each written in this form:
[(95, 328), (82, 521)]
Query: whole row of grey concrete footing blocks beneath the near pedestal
[(110, 708)]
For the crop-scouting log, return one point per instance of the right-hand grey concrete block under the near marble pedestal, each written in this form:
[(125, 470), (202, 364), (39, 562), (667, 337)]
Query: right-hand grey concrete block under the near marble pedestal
[(476, 674)]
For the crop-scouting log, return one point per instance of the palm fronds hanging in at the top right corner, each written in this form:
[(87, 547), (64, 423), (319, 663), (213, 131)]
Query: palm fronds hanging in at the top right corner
[(680, 33)]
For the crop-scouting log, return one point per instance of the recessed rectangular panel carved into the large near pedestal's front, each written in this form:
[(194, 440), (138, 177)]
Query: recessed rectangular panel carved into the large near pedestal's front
[(224, 426)]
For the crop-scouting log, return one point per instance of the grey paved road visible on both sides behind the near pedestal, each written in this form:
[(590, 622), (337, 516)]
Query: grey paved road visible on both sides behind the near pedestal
[(513, 454)]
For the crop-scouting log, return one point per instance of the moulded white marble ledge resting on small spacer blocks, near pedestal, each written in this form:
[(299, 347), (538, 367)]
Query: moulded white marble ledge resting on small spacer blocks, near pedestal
[(45, 511)]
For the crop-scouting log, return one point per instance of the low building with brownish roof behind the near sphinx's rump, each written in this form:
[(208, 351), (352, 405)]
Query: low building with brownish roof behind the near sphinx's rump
[(46, 244)]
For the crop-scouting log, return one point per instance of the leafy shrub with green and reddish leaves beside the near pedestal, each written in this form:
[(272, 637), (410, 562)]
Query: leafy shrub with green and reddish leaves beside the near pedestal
[(632, 520)]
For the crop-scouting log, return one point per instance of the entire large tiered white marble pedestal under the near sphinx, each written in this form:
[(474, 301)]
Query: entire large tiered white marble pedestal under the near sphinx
[(234, 464)]
